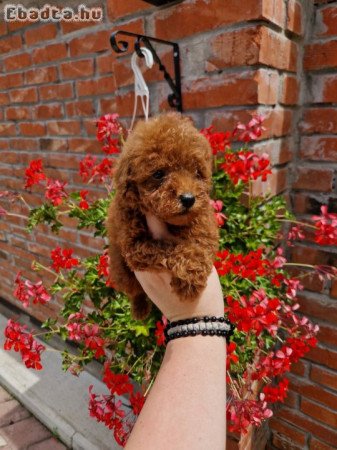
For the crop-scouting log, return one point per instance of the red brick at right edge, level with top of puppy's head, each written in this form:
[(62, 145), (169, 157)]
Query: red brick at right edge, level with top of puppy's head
[(319, 120)]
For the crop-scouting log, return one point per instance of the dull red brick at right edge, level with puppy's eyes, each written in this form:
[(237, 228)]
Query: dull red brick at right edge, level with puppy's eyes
[(314, 179)]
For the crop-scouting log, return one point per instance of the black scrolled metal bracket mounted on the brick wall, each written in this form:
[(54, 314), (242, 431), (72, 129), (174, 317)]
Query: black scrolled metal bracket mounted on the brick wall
[(174, 99)]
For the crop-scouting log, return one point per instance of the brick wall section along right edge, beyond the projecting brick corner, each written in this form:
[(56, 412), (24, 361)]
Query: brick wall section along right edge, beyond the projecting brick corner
[(309, 420)]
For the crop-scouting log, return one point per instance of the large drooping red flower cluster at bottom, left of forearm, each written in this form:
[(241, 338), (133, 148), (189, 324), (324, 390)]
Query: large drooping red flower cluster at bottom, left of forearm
[(107, 409)]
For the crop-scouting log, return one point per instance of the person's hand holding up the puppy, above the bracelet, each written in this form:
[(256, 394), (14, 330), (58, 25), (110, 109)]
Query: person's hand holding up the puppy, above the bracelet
[(157, 287)]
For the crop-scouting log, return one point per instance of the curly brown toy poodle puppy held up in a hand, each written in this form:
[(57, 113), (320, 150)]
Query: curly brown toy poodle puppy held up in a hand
[(165, 169)]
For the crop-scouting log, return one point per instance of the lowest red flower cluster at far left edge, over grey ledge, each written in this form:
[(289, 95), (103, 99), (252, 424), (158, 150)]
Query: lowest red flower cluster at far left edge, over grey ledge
[(20, 341)]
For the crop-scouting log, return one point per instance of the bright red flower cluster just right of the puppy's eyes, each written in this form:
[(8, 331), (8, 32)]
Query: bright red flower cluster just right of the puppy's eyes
[(246, 166)]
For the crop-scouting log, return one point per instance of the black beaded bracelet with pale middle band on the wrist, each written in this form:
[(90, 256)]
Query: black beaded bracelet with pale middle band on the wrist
[(206, 326)]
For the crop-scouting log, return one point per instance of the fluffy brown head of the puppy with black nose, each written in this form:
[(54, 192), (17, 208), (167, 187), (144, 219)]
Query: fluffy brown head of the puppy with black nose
[(165, 169)]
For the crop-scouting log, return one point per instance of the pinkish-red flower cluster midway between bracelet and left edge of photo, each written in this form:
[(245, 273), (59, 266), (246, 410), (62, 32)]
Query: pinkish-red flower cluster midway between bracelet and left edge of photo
[(88, 333)]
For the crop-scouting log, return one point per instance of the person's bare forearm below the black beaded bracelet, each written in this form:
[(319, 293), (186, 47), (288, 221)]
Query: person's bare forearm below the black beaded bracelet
[(186, 406)]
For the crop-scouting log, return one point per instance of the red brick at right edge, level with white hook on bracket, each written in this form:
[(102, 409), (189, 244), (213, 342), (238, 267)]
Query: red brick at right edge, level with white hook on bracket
[(321, 55)]
